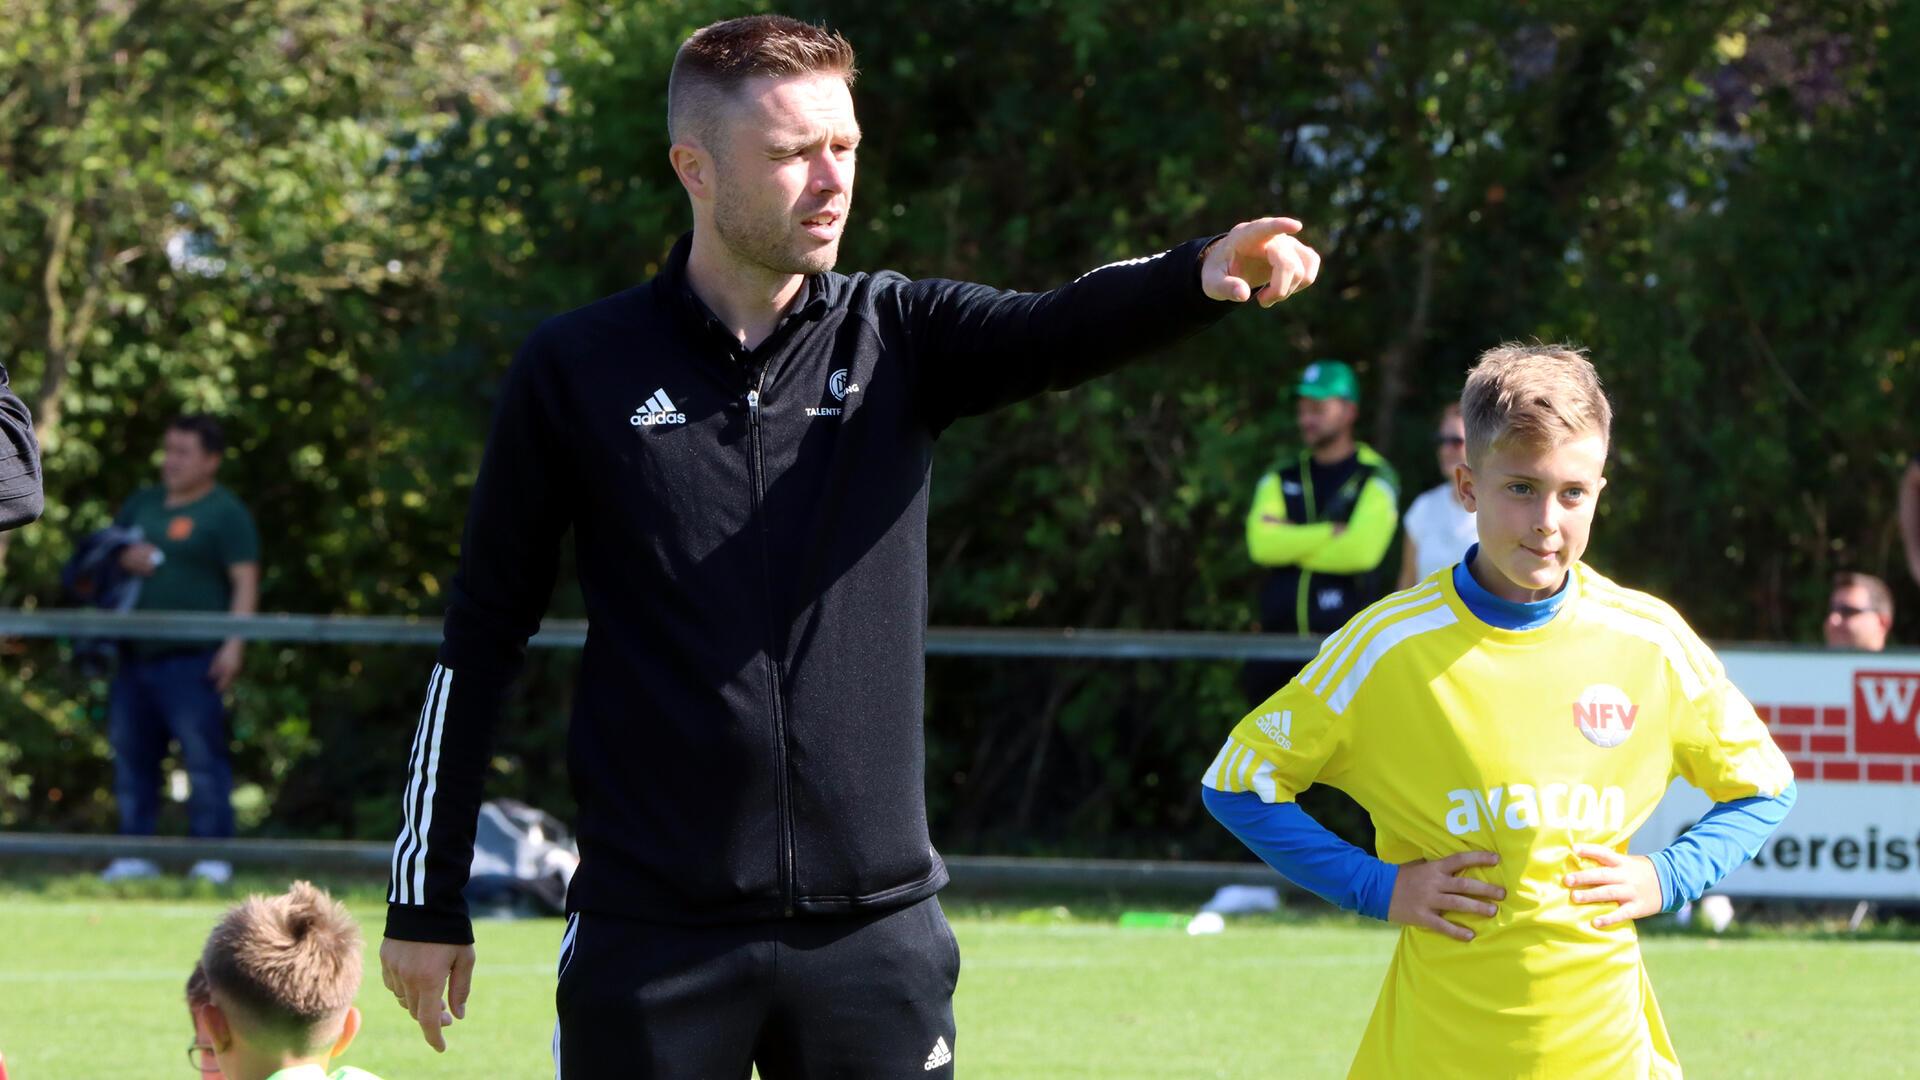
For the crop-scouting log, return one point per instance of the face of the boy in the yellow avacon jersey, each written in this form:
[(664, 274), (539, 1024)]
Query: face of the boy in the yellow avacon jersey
[(1535, 510)]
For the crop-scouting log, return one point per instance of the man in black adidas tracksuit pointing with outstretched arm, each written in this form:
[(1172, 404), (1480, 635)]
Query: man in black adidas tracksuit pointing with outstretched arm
[(742, 451)]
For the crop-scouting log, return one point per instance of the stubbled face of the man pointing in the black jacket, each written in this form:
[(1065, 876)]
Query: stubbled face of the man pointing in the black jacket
[(784, 172)]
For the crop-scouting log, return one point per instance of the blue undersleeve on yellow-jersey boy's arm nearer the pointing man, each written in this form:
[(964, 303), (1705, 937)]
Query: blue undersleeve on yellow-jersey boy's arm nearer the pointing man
[(1303, 850)]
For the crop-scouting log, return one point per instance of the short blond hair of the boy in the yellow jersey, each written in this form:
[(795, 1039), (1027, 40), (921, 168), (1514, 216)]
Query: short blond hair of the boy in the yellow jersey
[(1533, 395)]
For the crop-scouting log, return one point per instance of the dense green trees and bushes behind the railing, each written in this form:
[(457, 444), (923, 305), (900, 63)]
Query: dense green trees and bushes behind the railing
[(331, 222)]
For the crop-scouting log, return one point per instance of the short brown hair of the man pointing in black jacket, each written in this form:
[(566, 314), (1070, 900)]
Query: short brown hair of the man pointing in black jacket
[(723, 57)]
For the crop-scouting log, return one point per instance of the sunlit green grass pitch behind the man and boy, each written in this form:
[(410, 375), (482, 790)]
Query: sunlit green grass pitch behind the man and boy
[(91, 991)]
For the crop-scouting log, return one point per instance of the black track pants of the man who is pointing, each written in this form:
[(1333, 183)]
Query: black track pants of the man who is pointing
[(846, 998)]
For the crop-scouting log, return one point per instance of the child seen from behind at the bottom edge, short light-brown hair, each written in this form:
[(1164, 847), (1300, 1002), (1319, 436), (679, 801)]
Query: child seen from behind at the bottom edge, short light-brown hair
[(281, 979)]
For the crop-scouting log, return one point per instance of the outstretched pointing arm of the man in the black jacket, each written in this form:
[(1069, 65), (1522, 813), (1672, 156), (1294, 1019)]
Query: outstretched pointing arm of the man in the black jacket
[(980, 349)]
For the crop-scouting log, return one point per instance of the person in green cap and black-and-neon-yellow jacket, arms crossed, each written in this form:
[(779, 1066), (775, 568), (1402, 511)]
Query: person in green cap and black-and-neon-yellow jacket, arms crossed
[(1324, 522)]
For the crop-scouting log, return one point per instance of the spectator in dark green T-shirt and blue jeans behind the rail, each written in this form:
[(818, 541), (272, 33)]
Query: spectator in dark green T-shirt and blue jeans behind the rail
[(199, 552)]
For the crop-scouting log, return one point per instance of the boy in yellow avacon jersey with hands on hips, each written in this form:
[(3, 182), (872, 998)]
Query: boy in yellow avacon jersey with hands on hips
[(1510, 724)]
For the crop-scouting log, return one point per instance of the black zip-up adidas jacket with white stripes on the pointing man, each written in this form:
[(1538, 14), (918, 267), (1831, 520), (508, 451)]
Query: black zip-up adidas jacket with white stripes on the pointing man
[(752, 535)]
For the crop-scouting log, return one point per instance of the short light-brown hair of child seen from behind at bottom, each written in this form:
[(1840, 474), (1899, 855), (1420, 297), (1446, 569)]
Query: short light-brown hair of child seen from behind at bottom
[(289, 964)]
